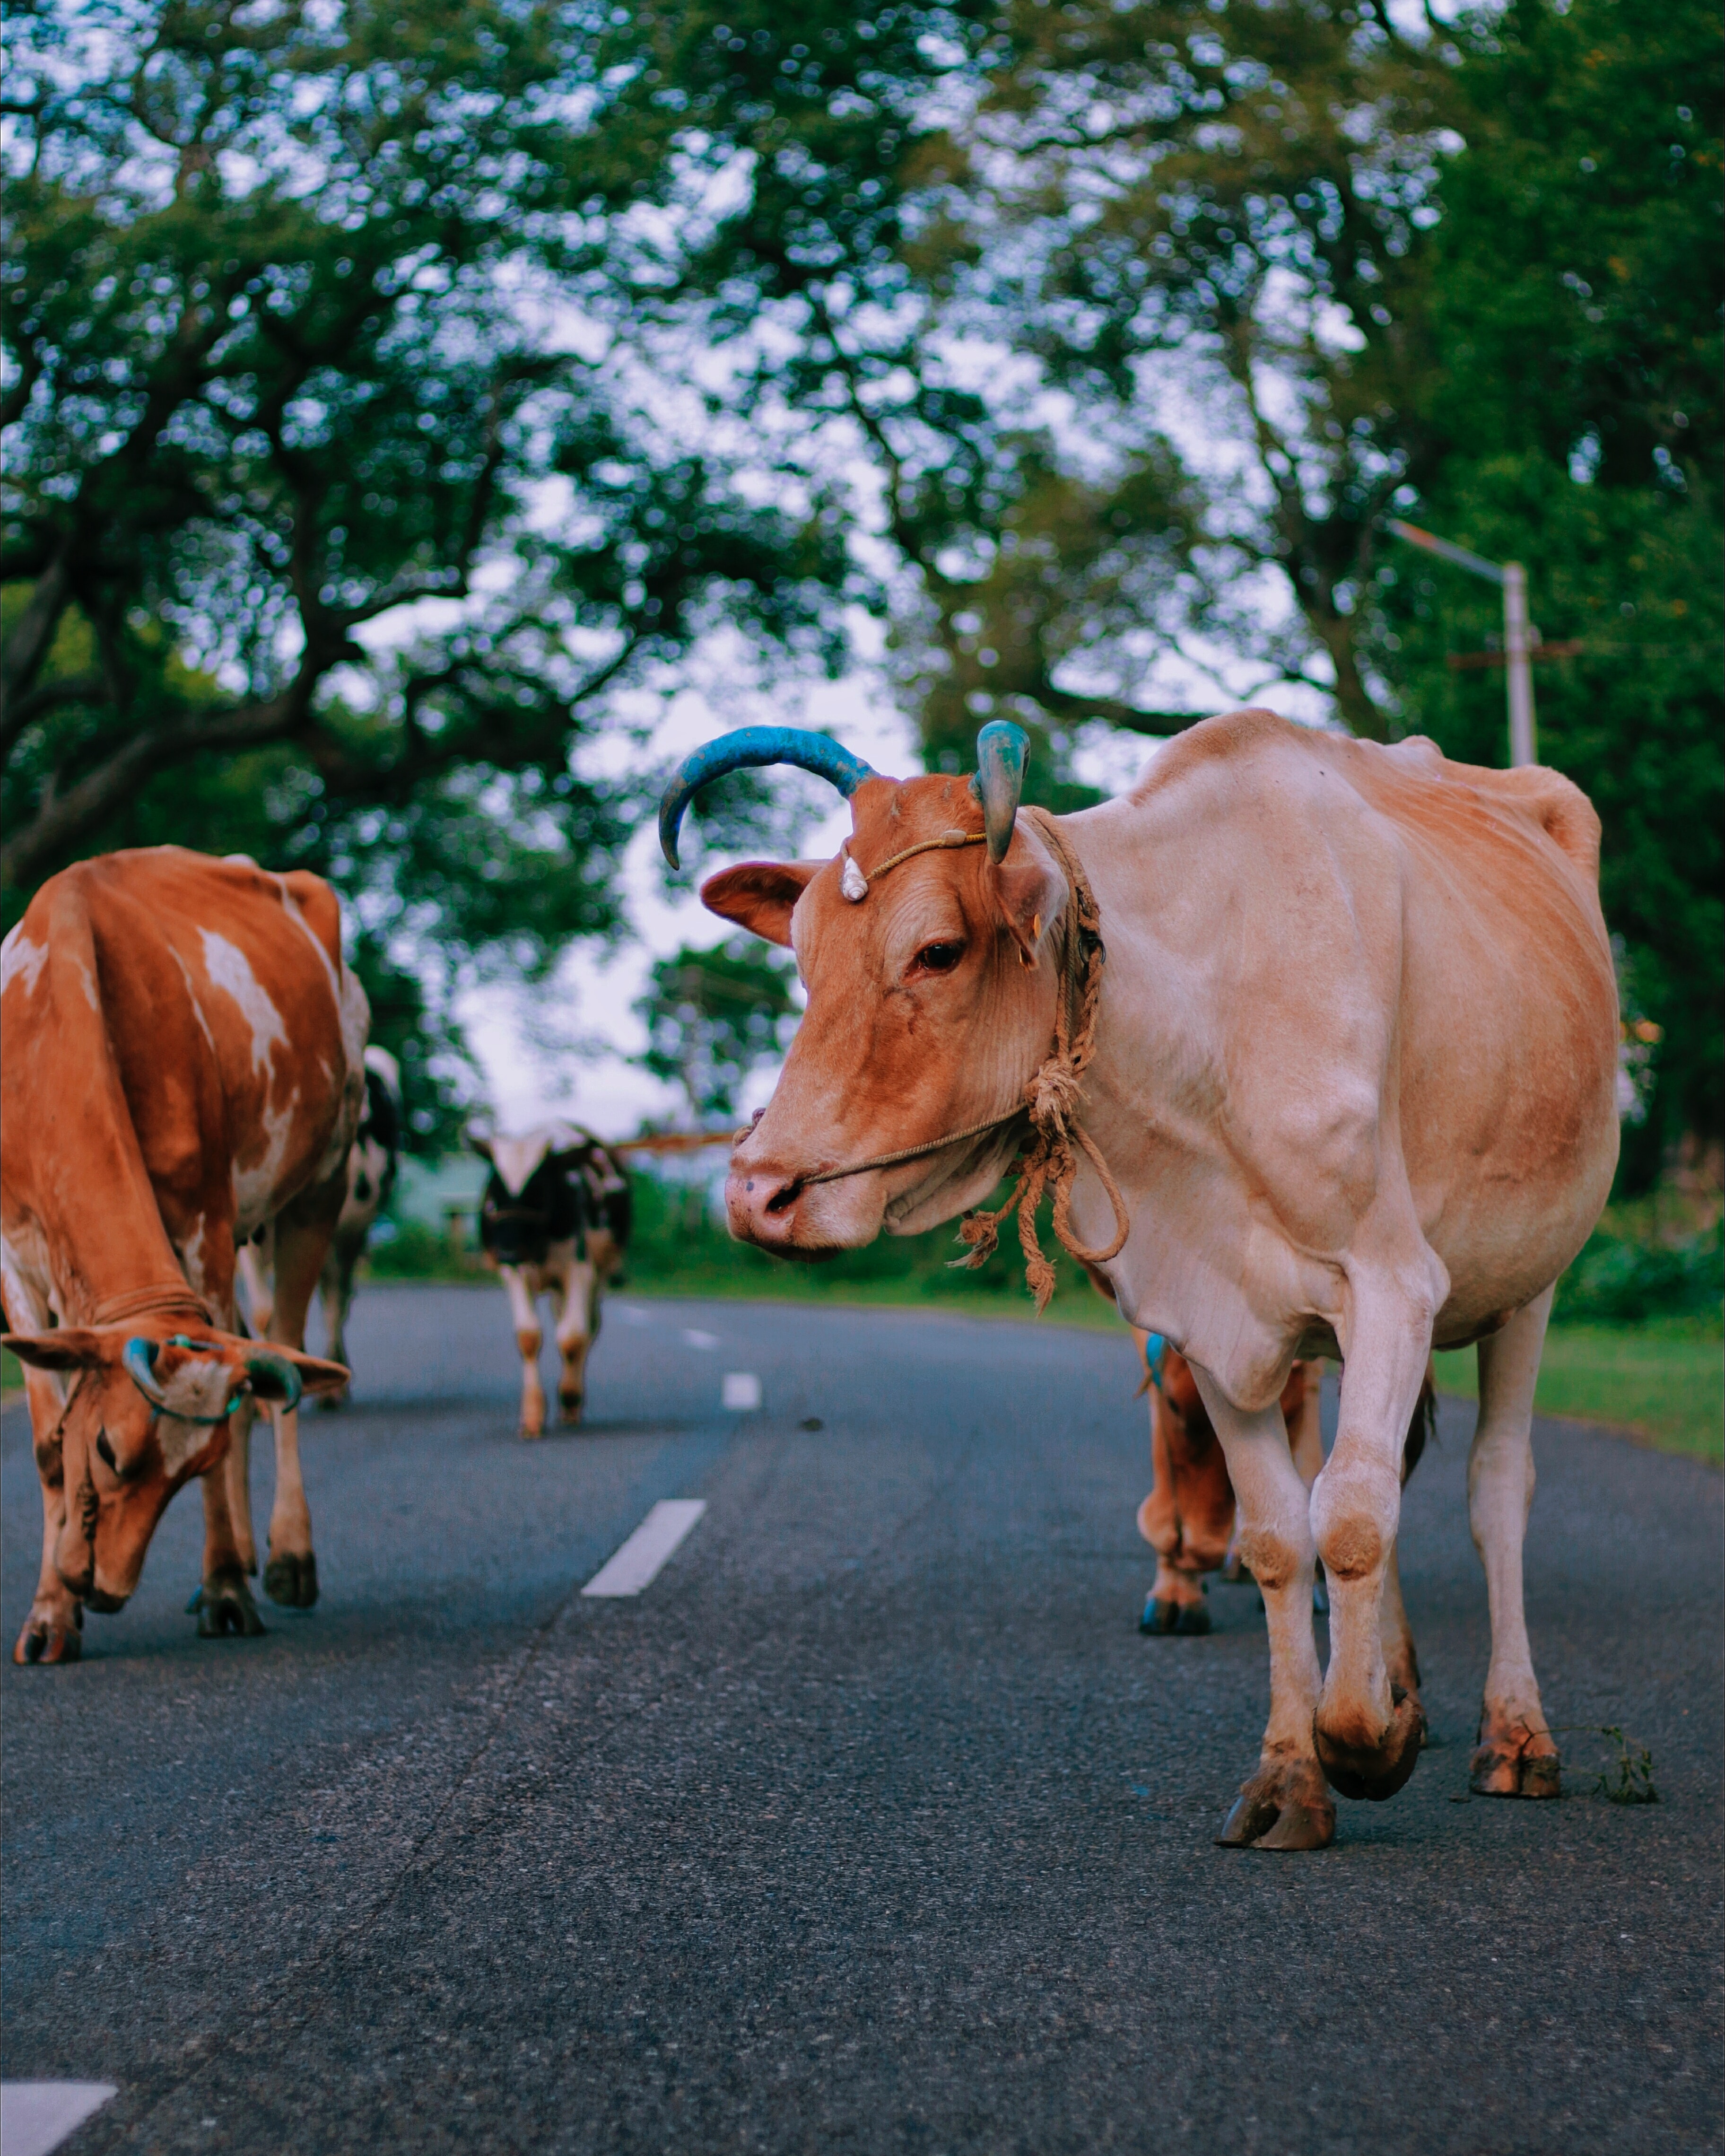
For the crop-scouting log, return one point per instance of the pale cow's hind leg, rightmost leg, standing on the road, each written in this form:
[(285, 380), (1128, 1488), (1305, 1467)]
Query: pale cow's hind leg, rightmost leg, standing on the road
[(1517, 1754)]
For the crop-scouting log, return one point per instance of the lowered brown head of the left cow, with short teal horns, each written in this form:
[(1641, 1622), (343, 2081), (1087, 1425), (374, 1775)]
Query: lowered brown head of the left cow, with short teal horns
[(146, 1413)]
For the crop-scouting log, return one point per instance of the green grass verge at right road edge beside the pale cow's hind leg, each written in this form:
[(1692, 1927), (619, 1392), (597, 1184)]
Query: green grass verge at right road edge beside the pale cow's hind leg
[(1664, 1379)]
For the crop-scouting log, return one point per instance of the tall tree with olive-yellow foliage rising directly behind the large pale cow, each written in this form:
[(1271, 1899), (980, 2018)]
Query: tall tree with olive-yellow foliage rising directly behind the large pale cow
[(1124, 307)]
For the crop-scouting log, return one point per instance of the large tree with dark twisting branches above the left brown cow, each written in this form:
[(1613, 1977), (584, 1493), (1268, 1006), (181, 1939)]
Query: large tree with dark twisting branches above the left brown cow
[(340, 508)]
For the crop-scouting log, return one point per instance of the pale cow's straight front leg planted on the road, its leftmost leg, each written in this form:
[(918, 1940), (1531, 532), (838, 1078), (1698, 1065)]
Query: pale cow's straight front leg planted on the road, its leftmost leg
[(1284, 1806)]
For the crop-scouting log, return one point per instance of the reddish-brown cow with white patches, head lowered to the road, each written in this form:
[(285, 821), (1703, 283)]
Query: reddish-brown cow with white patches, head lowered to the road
[(182, 1064)]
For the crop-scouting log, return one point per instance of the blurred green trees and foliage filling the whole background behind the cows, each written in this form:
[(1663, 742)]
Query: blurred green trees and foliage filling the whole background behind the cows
[(400, 400)]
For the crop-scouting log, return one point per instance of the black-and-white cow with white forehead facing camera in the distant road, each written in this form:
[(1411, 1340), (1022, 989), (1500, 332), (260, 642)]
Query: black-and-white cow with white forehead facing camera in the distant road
[(555, 1221)]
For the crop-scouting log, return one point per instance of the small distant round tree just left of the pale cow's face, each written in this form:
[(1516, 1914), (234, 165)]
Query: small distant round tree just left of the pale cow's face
[(713, 1017)]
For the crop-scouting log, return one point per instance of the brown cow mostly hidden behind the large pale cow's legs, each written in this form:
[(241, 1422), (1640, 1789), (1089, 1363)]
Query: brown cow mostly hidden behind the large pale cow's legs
[(1189, 1517)]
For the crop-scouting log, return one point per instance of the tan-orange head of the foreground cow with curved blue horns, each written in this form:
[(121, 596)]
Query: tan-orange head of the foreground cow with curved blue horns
[(930, 971)]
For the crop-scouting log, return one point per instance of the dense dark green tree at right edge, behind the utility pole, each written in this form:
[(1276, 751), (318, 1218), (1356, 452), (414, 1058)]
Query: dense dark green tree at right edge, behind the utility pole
[(1577, 428)]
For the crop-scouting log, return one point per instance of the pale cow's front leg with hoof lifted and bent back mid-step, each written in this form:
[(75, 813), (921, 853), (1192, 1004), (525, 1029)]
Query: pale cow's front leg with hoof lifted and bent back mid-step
[(1368, 1728)]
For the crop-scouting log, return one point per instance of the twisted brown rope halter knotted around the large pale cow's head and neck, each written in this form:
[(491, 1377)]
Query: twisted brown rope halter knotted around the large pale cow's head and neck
[(1051, 1098)]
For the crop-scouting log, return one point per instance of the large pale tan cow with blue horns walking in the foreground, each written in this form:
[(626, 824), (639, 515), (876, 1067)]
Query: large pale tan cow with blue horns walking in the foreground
[(1355, 1081)]
